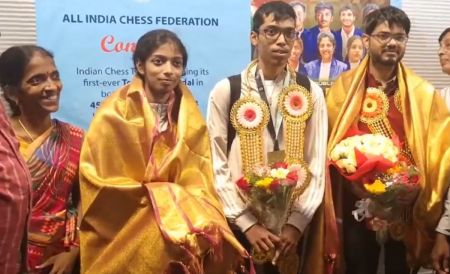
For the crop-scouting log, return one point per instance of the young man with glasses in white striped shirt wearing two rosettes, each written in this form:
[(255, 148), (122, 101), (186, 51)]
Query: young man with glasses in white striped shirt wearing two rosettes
[(263, 80)]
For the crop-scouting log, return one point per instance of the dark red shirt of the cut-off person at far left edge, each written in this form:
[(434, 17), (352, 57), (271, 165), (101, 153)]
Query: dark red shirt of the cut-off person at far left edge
[(15, 188)]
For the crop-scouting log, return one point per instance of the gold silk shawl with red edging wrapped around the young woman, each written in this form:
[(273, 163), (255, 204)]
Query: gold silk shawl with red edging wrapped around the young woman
[(149, 207)]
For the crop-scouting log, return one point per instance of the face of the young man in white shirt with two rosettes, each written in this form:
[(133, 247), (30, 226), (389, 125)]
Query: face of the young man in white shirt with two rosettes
[(274, 50)]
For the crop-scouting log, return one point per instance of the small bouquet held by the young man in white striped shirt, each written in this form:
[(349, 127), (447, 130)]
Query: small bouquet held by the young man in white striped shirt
[(267, 192)]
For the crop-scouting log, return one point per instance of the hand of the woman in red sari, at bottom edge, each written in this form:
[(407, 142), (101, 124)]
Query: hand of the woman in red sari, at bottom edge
[(62, 263)]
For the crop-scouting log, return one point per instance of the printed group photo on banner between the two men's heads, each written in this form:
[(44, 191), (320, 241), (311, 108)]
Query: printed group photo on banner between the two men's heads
[(329, 36)]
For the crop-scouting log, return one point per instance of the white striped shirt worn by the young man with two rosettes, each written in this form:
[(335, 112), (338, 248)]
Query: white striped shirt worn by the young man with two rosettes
[(227, 169)]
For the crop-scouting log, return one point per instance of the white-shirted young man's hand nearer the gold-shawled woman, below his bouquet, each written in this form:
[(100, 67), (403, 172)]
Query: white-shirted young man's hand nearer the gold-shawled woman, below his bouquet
[(261, 239)]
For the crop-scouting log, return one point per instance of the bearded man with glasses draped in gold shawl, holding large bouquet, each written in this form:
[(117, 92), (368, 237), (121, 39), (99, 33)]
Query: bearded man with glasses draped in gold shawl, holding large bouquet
[(384, 97)]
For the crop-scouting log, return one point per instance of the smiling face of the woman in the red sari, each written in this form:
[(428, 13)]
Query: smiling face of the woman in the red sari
[(40, 87)]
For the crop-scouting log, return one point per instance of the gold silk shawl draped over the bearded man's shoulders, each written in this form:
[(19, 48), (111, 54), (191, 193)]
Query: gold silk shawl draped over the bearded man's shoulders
[(427, 129)]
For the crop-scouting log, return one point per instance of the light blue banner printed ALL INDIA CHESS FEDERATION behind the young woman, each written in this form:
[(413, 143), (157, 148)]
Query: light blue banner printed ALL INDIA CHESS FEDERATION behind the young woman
[(93, 43)]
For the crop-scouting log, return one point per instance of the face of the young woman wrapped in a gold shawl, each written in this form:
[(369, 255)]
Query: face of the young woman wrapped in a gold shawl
[(162, 70)]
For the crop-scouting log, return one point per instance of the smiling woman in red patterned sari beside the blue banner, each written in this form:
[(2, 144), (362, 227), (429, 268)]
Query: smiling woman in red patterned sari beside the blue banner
[(51, 149)]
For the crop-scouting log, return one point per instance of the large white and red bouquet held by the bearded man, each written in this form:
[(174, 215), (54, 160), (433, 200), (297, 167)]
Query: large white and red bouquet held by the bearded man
[(372, 160)]
